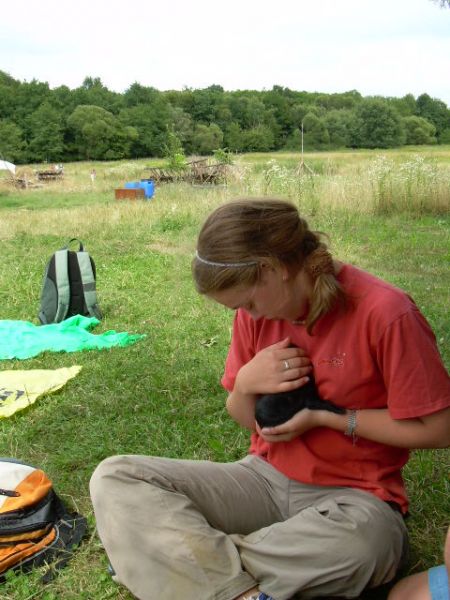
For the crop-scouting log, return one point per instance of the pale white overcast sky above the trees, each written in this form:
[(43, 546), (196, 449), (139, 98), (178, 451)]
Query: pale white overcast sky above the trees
[(384, 47)]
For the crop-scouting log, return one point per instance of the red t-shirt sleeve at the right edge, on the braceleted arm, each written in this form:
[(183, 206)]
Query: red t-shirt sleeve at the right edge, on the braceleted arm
[(416, 380)]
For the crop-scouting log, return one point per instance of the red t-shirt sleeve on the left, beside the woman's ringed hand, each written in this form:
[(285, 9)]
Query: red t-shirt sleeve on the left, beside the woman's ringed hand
[(242, 349)]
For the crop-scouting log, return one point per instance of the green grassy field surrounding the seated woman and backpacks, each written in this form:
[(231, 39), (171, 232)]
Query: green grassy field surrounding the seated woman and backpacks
[(386, 212)]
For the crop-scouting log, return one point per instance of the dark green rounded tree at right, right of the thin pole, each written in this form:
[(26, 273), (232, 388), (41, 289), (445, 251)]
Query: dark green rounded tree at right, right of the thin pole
[(377, 125)]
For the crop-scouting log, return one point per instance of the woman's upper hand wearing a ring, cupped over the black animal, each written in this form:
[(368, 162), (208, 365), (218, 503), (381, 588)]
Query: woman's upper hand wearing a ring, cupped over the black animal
[(277, 368)]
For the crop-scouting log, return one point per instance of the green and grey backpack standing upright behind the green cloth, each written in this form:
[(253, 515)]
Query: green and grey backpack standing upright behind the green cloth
[(69, 286)]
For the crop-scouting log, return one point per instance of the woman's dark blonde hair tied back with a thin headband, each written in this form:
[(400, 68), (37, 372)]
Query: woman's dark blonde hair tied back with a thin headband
[(239, 236)]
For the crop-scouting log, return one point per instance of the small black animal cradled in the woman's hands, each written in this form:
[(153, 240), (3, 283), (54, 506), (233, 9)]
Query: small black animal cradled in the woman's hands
[(274, 409)]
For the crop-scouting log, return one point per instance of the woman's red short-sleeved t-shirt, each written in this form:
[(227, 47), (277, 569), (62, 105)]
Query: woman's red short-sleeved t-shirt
[(379, 352)]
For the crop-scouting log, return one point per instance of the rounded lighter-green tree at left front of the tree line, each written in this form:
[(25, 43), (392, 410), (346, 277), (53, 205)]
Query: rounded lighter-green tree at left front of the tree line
[(98, 134)]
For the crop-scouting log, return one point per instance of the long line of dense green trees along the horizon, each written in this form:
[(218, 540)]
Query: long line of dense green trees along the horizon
[(40, 124)]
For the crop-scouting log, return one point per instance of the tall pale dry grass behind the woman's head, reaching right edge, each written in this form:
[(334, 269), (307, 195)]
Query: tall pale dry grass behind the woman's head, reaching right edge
[(379, 185)]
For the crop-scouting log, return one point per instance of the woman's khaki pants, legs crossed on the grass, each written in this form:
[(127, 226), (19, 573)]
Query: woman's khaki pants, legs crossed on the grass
[(198, 530)]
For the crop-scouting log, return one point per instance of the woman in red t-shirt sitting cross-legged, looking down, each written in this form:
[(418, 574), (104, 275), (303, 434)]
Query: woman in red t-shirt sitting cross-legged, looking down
[(317, 506)]
